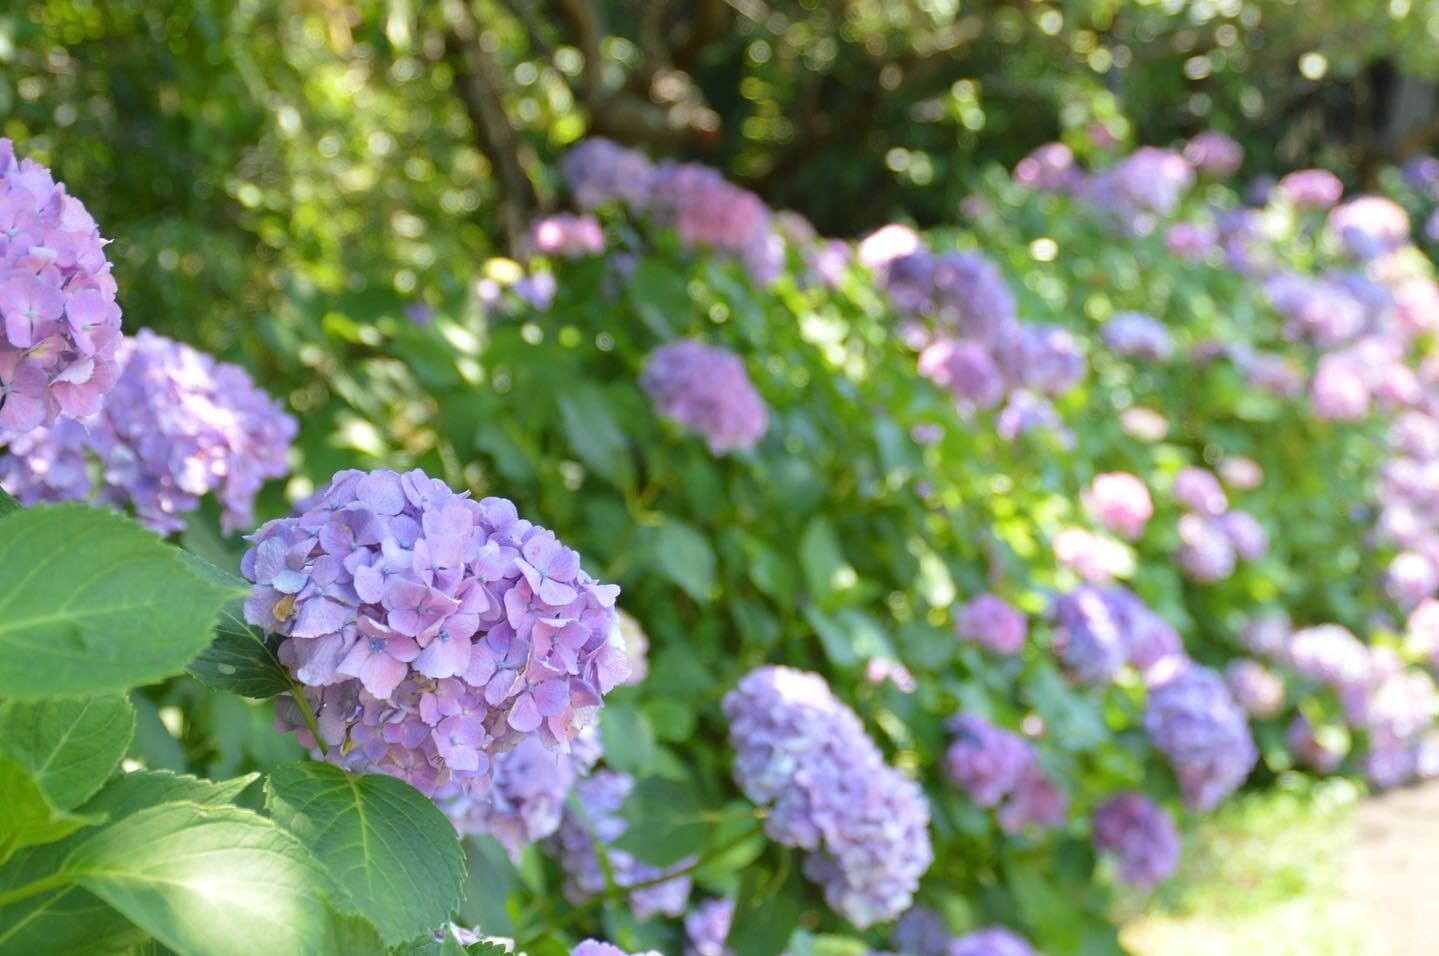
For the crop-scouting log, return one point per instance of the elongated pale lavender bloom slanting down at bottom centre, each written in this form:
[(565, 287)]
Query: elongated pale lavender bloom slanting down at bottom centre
[(807, 757)]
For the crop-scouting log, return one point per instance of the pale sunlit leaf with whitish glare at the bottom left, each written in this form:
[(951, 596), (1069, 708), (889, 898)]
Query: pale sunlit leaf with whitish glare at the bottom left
[(209, 880)]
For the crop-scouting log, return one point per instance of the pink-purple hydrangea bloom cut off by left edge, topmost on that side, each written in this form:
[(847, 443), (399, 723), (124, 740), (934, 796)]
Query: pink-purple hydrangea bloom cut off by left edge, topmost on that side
[(60, 326)]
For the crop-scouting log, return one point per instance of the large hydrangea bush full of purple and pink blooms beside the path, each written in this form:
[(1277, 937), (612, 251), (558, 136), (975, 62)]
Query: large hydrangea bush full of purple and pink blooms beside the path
[(962, 572)]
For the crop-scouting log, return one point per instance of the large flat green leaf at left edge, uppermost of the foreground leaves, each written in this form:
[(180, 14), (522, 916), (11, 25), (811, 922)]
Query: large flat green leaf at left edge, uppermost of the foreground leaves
[(93, 603)]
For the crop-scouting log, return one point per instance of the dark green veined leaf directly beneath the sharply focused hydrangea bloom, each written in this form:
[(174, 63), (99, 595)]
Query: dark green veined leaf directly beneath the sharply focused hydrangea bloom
[(382, 840)]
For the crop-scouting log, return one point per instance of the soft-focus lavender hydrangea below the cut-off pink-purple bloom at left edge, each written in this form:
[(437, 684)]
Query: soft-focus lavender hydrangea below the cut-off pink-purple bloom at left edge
[(176, 427)]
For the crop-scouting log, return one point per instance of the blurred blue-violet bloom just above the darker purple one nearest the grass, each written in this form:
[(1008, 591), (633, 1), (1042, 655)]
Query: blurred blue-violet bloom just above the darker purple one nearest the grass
[(1195, 721)]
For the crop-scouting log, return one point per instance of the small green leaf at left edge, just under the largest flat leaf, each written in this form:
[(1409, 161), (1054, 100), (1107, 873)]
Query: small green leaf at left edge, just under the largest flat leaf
[(70, 747)]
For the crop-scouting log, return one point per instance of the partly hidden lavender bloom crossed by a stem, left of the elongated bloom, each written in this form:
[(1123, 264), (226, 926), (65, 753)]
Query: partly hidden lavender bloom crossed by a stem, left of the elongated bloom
[(573, 844)]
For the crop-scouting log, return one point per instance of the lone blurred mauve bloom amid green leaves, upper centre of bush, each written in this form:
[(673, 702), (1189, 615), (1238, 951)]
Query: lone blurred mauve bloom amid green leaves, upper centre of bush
[(709, 391)]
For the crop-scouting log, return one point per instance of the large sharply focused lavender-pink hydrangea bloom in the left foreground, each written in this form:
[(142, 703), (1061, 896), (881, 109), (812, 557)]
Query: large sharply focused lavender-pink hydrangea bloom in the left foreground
[(432, 633)]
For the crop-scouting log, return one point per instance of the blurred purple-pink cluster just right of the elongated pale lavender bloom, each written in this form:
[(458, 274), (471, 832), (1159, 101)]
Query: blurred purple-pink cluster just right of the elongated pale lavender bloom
[(1001, 770)]
